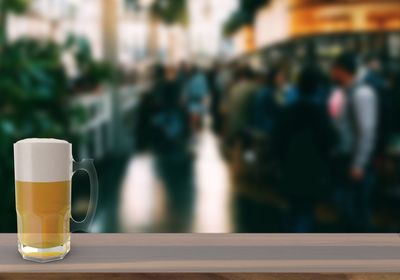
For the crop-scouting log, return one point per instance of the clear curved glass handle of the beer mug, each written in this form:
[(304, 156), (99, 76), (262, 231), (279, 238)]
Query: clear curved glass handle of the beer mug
[(88, 166)]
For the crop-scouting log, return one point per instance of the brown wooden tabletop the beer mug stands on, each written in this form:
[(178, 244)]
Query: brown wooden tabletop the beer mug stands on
[(214, 256)]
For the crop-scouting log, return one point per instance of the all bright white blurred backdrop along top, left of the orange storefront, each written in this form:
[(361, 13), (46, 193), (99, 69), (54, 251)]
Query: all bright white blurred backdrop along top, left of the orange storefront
[(137, 39)]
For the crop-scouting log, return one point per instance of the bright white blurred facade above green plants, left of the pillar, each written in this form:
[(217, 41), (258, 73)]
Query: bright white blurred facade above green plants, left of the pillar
[(57, 19)]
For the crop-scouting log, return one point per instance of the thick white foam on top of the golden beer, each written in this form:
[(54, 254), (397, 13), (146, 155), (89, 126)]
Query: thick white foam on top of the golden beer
[(42, 160)]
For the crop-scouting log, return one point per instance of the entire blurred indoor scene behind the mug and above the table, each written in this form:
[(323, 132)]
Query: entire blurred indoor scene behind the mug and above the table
[(211, 116)]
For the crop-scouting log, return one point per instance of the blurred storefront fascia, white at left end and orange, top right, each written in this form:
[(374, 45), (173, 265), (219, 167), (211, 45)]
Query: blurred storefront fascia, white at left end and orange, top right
[(282, 20)]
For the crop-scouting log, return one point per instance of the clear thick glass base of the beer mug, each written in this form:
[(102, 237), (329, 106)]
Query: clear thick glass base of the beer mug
[(43, 255)]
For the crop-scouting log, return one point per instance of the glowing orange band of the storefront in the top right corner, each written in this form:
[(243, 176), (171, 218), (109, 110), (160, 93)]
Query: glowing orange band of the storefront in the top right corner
[(313, 17)]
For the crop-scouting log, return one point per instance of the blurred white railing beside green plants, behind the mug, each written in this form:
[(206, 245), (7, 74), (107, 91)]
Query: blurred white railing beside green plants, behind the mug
[(101, 126)]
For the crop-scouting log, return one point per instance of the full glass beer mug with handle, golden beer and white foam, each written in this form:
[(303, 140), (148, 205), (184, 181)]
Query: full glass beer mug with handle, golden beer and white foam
[(43, 173)]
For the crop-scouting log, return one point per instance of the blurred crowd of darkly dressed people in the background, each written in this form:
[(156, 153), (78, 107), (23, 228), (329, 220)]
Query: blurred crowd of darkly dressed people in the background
[(315, 134)]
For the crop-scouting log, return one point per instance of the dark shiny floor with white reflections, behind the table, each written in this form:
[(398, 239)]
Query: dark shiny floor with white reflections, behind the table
[(197, 190)]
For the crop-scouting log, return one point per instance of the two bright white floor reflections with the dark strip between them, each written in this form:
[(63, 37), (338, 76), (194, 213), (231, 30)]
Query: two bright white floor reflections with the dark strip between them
[(177, 192)]
